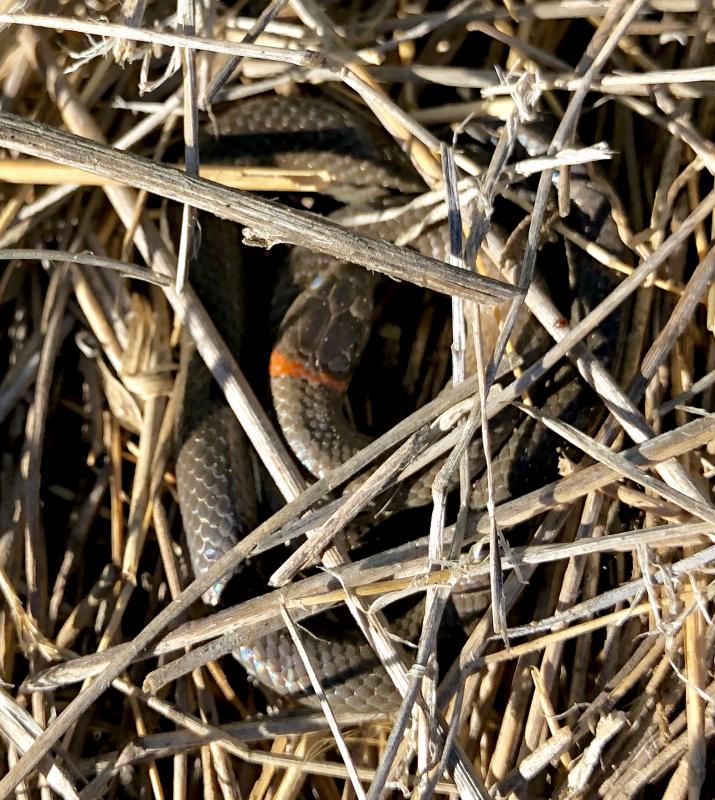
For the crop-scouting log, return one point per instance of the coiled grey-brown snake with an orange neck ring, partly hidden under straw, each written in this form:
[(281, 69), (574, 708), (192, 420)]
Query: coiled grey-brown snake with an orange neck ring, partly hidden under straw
[(319, 344)]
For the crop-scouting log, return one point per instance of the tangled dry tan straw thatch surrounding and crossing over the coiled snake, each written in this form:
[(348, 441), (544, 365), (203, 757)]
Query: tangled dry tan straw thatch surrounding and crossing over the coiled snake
[(600, 684)]
